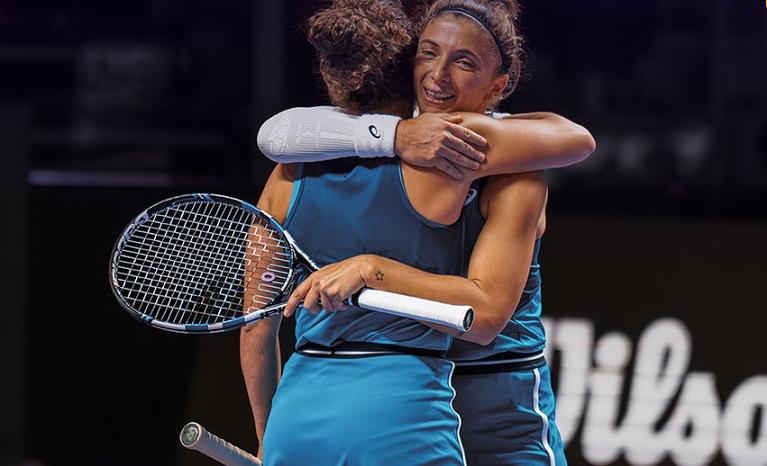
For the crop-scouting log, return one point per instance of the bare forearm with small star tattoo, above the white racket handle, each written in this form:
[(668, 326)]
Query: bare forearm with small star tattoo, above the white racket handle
[(491, 305)]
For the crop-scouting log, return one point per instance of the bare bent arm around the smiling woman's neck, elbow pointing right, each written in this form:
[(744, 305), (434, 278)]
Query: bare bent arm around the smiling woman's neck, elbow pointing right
[(530, 142)]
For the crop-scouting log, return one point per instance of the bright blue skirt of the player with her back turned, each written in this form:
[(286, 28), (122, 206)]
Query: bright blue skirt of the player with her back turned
[(377, 410)]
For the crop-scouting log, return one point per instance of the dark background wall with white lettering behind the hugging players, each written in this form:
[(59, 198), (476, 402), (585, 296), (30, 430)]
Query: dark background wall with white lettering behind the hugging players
[(653, 261)]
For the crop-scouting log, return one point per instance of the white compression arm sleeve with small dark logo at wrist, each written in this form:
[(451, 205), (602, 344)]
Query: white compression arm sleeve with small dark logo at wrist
[(310, 134)]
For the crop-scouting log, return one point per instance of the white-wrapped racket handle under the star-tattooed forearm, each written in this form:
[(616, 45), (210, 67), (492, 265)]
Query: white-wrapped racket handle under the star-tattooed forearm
[(458, 317)]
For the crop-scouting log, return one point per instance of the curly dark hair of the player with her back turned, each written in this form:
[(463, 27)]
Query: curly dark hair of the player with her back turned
[(365, 51)]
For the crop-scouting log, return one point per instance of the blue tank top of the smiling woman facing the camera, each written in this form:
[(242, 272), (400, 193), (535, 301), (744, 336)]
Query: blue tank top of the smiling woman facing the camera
[(524, 333)]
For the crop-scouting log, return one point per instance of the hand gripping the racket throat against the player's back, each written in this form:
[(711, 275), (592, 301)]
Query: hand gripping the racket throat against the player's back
[(328, 288)]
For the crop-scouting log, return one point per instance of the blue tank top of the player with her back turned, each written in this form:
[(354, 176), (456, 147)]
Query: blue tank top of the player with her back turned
[(343, 208)]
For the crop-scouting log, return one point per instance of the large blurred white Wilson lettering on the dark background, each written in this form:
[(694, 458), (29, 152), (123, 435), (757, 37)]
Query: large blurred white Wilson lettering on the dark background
[(639, 403)]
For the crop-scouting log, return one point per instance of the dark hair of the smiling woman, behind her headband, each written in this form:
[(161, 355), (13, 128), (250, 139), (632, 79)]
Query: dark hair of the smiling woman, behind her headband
[(500, 18)]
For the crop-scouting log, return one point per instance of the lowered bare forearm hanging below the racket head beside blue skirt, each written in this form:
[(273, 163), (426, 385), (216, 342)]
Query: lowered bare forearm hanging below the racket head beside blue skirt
[(260, 364)]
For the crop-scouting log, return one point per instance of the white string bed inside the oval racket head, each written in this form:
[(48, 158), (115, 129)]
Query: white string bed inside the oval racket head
[(192, 263)]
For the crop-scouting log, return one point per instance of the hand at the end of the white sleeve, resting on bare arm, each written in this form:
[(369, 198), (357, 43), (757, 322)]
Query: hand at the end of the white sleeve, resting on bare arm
[(437, 140)]
